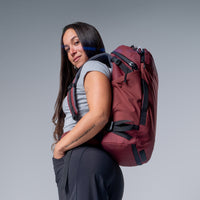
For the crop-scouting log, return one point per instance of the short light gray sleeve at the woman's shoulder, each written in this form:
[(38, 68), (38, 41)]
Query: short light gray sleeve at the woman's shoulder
[(93, 65)]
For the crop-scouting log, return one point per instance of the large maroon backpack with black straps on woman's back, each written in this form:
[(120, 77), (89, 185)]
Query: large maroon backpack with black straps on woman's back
[(130, 134)]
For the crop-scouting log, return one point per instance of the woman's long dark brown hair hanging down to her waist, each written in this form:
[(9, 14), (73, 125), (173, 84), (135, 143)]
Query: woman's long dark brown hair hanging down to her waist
[(92, 45)]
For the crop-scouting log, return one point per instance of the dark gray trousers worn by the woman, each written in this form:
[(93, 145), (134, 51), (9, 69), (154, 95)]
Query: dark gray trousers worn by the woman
[(88, 173)]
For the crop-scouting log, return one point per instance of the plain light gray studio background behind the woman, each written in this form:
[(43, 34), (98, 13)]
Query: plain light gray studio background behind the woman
[(29, 72)]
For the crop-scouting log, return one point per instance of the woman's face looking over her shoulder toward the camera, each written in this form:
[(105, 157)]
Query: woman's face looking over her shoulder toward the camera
[(74, 49)]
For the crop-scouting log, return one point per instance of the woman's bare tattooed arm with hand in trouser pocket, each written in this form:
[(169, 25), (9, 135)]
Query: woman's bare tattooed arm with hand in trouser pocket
[(98, 93)]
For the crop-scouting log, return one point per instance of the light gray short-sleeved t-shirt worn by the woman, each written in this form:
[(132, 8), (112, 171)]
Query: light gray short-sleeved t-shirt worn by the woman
[(82, 104)]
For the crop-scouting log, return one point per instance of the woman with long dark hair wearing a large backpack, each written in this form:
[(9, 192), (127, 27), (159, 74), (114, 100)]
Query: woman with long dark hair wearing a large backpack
[(84, 172)]
